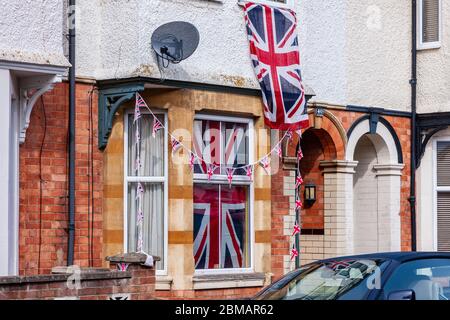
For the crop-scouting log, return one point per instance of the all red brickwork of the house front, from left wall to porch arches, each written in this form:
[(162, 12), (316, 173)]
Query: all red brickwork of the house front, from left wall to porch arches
[(44, 188)]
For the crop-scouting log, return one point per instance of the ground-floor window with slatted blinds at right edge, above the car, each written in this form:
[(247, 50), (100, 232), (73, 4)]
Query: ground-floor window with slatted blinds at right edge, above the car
[(443, 195)]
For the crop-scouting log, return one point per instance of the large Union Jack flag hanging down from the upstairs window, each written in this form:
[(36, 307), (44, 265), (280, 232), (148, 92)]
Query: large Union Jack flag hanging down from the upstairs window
[(275, 54)]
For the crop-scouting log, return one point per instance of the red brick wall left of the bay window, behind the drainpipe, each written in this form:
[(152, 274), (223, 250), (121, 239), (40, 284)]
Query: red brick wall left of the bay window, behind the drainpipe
[(44, 184)]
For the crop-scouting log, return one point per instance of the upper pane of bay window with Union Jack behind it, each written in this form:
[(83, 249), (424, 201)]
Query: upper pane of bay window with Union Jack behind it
[(221, 143)]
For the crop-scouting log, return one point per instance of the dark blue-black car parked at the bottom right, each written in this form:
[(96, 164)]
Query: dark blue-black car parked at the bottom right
[(381, 276)]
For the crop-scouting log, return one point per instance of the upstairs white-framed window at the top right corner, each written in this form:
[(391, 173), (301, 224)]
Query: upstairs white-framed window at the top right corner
[(429, 24)]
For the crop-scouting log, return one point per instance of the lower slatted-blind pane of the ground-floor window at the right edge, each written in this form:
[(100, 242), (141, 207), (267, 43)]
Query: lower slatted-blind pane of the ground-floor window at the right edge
[(443, 221)]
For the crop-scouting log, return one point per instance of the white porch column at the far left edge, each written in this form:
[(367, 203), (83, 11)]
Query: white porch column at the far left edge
[(6, 203)]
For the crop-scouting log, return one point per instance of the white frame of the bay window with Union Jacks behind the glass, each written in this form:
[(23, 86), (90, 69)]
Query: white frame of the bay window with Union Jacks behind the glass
[(203, 179)]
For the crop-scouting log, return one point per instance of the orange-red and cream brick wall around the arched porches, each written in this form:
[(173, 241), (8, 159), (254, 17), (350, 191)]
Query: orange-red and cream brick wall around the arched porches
[(319, 145)]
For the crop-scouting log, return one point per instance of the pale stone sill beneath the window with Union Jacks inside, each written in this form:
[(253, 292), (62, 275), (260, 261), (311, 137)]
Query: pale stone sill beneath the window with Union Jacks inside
[(227, 281)]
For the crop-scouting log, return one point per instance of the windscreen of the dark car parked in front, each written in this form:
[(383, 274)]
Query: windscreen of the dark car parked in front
[(330, 280)]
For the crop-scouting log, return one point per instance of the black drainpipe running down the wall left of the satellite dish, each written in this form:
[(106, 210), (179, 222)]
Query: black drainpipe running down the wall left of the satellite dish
[(71, 240)]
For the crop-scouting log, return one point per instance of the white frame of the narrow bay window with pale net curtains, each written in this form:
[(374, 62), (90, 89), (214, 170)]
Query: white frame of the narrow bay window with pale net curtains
[(164, 180)]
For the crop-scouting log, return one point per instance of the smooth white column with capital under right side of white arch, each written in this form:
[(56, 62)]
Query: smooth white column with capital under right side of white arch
[(389, 186)]
